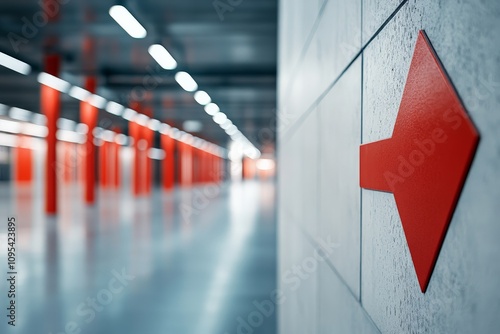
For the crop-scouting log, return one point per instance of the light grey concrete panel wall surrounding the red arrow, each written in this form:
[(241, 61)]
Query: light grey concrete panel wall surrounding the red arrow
[(342, 70)]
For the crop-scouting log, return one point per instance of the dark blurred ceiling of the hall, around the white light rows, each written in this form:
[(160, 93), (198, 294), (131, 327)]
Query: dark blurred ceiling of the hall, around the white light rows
[(228, 47)]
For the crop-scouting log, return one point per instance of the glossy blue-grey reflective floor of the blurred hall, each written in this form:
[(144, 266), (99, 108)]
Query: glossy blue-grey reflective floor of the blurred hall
[(193, 261)]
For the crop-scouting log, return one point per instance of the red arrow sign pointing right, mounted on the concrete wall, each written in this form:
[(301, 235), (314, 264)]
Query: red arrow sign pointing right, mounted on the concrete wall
[(425, 162)]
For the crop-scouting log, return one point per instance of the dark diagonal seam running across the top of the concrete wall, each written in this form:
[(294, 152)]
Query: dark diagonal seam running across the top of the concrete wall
[(304, 115)]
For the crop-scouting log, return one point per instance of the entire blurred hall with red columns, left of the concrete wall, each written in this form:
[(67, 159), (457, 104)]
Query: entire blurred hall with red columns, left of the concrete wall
[(137, 160)]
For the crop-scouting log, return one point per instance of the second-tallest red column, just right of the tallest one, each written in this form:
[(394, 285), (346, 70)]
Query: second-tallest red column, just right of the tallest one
[(88, 116)]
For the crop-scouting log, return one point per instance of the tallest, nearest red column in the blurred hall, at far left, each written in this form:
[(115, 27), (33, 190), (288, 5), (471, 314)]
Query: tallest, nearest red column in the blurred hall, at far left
[(50, 106)]
